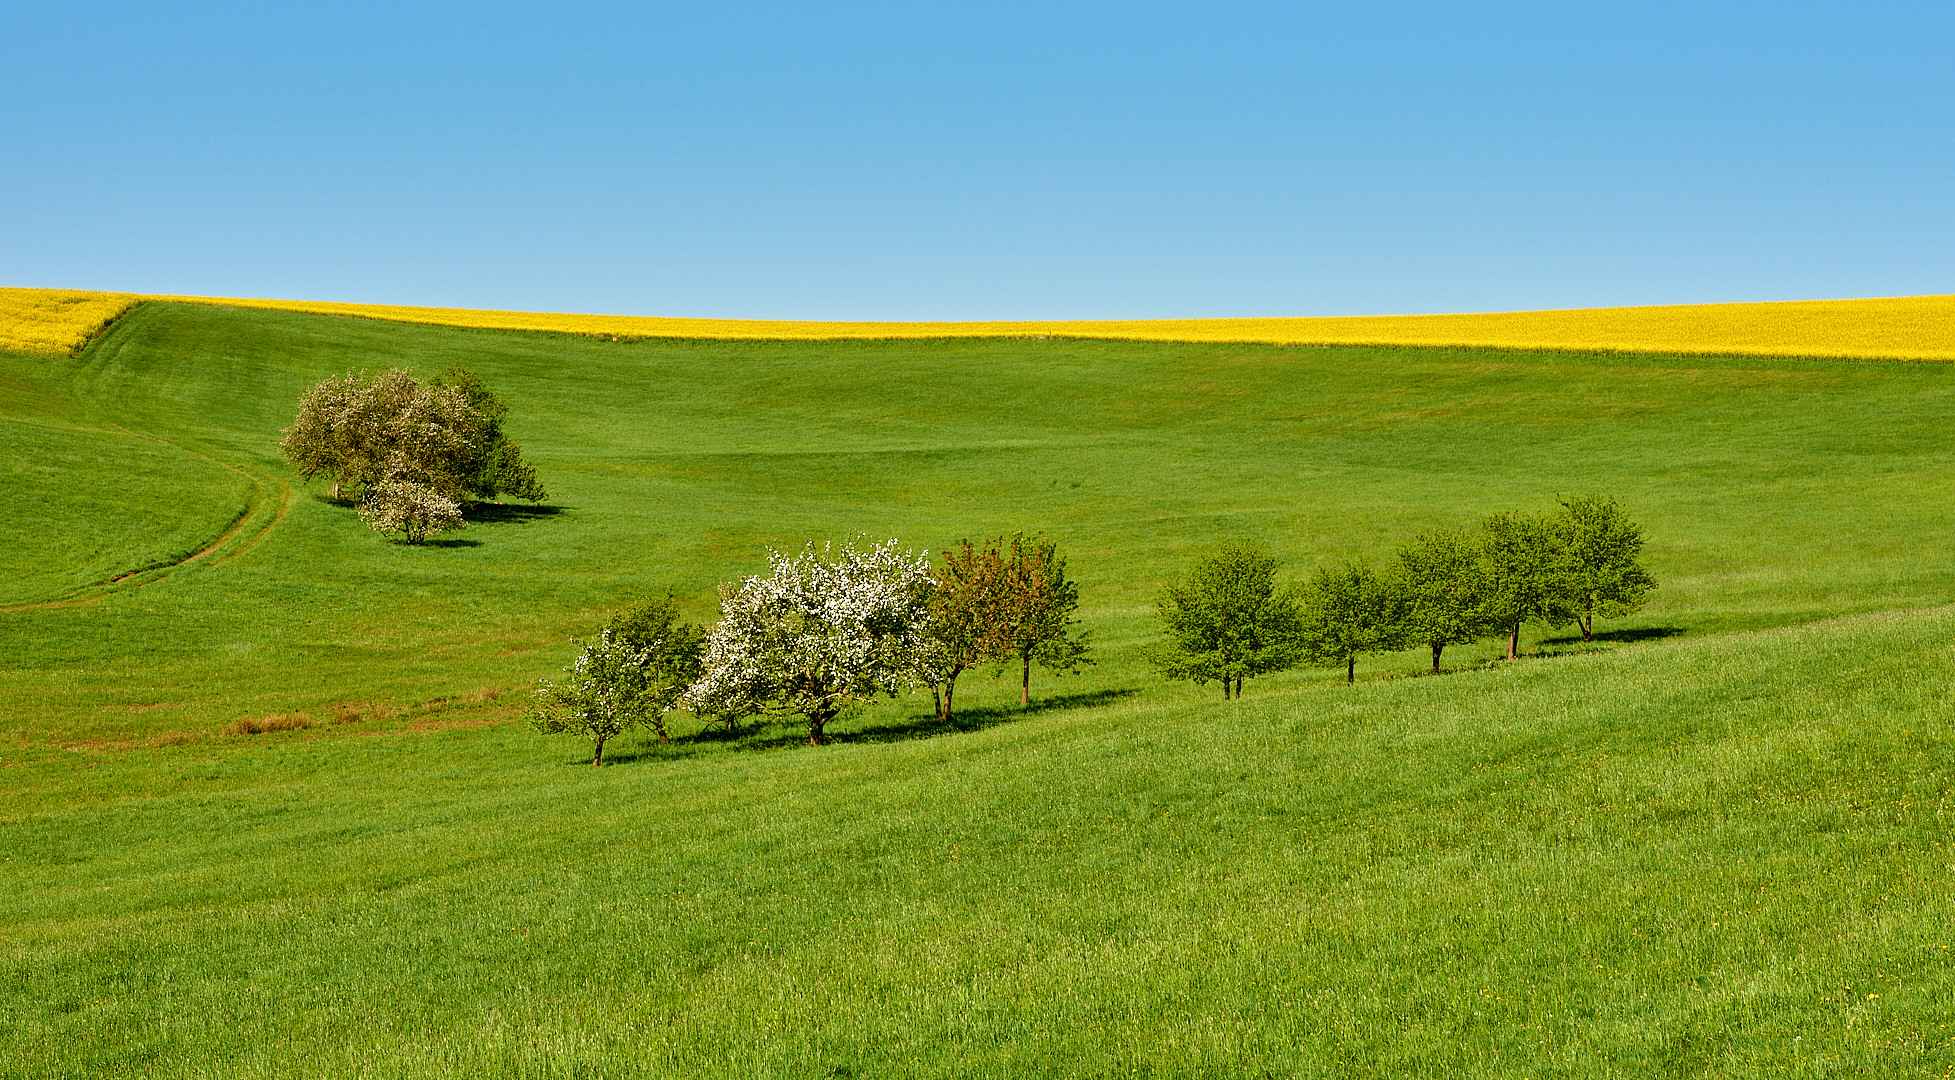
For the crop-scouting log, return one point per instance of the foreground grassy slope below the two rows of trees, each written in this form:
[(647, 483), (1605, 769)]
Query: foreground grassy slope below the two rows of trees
[(1719, 858)]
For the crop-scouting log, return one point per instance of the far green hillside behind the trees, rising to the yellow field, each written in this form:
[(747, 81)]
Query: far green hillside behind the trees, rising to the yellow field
[(1774, 492)]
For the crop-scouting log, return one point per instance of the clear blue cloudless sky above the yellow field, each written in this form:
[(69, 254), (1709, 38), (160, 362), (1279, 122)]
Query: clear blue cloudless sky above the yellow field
[(982, 161)]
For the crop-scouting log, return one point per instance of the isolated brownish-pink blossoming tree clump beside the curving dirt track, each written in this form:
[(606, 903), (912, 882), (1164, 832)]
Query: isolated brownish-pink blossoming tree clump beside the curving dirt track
[(415, 453)]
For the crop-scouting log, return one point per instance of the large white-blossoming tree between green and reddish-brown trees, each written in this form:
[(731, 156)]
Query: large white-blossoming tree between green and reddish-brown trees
[(822, 633)]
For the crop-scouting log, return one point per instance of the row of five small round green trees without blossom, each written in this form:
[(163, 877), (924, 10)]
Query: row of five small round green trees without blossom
[(1229, 621)]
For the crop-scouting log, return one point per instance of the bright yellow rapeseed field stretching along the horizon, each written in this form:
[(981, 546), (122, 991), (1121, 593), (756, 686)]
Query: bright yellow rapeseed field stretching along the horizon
[(1921, 328)]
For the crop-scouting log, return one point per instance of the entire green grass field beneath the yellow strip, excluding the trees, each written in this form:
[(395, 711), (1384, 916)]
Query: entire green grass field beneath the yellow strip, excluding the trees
[(1716, 842)]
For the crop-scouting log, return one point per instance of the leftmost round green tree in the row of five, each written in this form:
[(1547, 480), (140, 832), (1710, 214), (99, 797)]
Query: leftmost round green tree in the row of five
[(1227, 621)]
